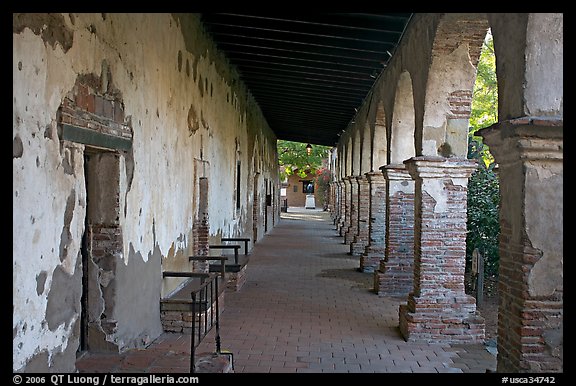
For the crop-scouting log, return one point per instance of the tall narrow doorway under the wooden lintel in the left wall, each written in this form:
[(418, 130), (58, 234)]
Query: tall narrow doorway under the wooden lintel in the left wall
[(101, 243)]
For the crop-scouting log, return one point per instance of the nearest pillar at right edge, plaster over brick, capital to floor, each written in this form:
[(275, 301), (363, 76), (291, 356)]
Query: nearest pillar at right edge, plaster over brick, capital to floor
[(530, 318)]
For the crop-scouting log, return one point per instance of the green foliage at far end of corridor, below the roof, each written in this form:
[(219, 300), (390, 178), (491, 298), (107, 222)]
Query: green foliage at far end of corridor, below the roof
[(293, 158)]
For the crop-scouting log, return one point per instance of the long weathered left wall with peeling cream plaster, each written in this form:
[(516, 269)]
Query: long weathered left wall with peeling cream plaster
[(187, 116)]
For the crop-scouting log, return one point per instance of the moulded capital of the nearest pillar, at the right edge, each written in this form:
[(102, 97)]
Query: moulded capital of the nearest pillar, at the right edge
[(526, 139)]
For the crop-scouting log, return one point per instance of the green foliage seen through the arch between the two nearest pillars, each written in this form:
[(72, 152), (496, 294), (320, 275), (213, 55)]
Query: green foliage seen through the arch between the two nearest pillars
[(483, 187)]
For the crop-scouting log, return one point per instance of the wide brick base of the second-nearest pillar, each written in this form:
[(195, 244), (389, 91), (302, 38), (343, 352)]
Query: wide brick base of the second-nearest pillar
[(441, 322)]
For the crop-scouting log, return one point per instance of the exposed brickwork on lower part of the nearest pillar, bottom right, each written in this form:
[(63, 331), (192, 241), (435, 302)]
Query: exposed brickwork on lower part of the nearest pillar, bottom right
[(530, 337)]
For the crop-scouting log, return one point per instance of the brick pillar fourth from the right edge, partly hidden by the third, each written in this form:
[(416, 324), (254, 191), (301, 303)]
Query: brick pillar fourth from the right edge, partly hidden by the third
[(374, 251)]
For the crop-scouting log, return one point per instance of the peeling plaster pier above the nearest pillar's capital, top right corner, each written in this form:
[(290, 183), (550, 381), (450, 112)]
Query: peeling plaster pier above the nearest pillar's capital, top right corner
[(531, 46)]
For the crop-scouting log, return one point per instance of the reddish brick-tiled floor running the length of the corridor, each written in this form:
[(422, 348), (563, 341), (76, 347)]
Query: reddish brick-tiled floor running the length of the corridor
[(304, 308)]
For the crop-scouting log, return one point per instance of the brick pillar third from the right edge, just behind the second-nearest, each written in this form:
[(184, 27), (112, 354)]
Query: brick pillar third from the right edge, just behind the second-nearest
[(395, 276)]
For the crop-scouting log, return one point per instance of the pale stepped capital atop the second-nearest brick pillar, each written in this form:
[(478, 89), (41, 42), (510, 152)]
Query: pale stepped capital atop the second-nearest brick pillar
[(440, 167)]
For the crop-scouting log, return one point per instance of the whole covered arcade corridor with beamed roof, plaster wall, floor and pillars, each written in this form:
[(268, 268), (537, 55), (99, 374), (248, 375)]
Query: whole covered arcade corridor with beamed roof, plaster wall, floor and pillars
[(142, 140)]
